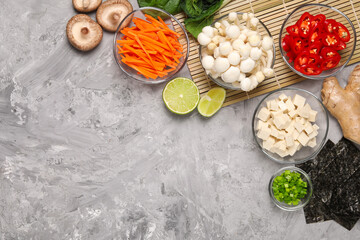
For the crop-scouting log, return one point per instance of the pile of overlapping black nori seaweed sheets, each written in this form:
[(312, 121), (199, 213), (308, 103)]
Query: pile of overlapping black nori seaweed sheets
[(335, 174)]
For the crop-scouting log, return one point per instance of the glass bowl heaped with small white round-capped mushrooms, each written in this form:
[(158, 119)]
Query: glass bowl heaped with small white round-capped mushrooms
[(237, 51)]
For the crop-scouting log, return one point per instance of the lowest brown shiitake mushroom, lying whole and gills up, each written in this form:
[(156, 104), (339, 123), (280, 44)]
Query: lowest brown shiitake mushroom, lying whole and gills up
[(83, 32)]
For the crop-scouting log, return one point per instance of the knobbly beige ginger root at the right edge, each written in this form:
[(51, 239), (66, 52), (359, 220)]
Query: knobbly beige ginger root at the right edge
[(344, 104)]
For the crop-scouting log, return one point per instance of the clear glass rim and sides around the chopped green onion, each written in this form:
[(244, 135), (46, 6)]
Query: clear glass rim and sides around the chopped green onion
[(305, 177)]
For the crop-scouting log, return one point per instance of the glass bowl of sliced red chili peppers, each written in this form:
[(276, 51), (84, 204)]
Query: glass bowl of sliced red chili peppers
[(317, 41)]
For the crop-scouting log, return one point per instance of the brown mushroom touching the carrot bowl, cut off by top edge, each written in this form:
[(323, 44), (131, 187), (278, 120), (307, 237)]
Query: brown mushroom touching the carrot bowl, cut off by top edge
[(112, 12)]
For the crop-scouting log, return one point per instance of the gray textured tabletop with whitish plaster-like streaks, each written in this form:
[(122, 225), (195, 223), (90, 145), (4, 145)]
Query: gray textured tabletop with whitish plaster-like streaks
[(87, 153)]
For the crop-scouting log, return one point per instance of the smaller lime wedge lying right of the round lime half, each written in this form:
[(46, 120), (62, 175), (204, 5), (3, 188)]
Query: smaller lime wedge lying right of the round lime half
[(211, 102)]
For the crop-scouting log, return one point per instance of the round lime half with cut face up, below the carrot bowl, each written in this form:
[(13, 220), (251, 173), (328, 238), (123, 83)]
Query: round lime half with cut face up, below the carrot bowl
[(181, 95)]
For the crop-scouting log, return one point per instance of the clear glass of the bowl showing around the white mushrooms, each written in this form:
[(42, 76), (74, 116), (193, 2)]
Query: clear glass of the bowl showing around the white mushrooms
[(263, 32)]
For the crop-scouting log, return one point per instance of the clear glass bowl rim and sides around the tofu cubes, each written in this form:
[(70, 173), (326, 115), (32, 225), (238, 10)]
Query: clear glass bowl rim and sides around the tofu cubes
[(322, 120)]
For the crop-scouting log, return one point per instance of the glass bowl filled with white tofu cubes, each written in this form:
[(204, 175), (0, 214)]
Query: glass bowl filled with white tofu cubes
[(290, 125)]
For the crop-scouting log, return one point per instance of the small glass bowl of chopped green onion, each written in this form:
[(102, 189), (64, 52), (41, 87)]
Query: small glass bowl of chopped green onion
[(290, 188)]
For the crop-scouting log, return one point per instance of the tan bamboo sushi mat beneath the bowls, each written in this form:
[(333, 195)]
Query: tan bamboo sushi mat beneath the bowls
[(272, 13)]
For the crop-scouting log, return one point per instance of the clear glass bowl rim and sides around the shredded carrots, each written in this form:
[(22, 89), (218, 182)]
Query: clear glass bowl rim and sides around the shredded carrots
[(167, 17)]
